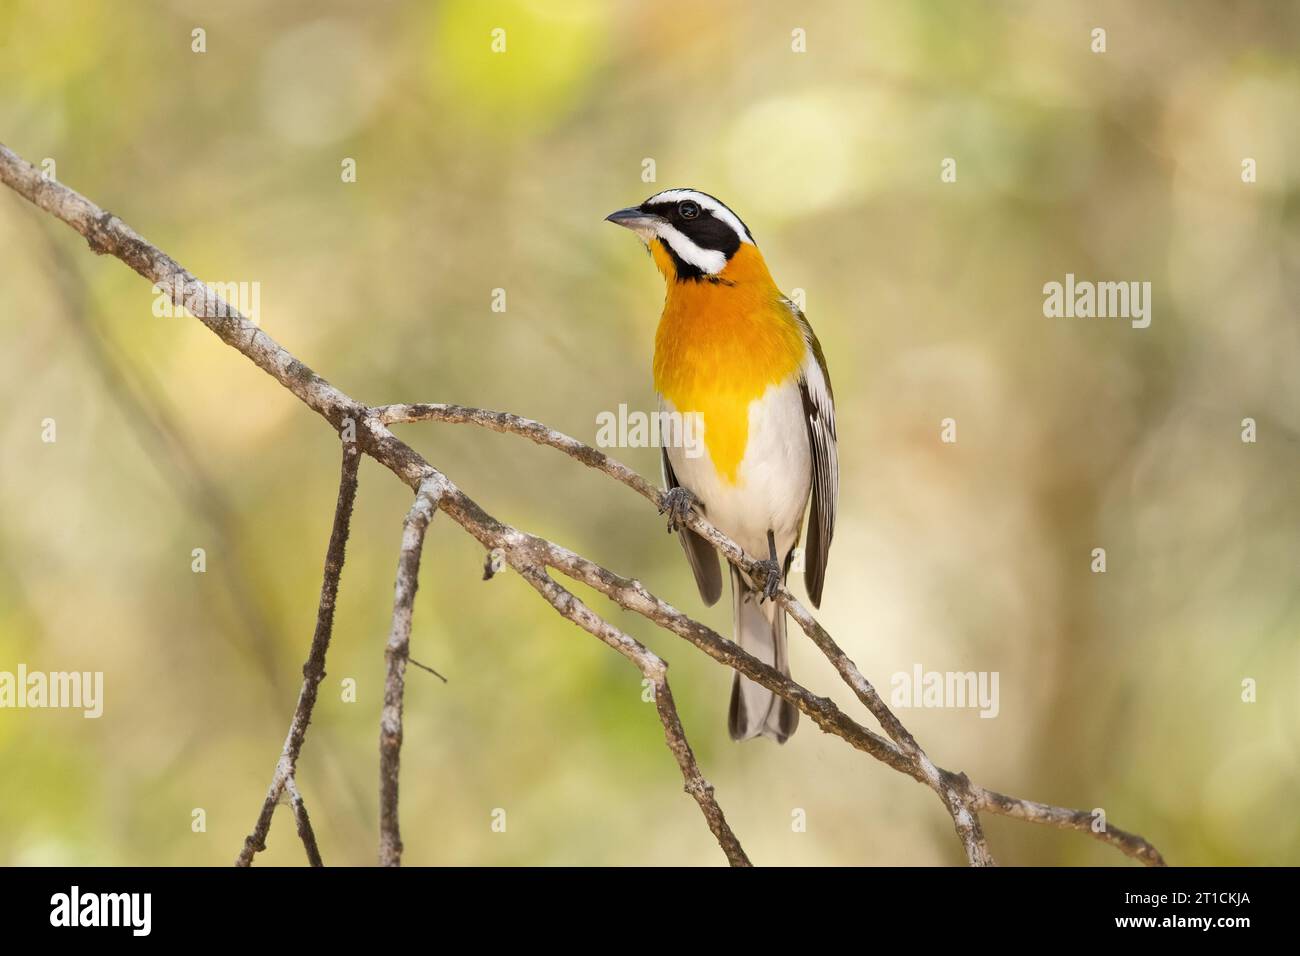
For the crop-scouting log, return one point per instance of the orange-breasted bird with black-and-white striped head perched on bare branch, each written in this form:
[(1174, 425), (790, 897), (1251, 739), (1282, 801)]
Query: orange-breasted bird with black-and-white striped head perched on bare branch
[(739, 354)]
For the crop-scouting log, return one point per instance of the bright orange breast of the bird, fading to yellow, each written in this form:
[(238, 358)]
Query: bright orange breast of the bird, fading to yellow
[(721, 345)]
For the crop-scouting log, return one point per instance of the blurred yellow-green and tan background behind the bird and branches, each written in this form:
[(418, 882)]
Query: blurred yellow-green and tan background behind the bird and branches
[(482, 171)]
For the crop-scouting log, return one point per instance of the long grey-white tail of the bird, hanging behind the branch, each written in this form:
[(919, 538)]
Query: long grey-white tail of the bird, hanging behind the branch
[(760, 631)]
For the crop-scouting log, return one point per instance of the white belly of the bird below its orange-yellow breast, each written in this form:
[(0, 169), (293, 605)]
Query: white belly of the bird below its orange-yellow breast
[(773, 482)]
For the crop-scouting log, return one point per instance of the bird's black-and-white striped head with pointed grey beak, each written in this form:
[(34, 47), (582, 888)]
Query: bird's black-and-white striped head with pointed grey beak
[(694, 239)]
